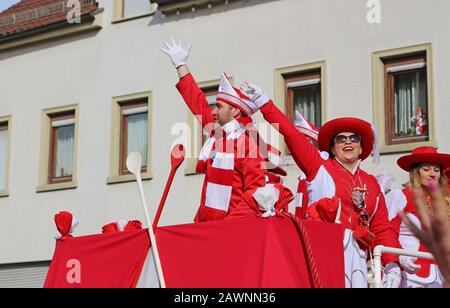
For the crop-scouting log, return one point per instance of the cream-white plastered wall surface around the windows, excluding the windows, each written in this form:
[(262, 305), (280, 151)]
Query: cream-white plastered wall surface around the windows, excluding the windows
[(249, 39)]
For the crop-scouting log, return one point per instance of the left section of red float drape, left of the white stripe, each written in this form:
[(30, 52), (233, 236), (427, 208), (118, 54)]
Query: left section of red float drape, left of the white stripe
[(112, 260)]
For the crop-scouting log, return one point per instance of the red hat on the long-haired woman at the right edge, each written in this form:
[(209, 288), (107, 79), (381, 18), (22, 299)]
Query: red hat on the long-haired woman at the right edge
[(424, 155)]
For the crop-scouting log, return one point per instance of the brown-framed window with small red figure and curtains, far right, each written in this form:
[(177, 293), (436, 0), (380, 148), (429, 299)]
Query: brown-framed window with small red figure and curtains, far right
[(406, 100)]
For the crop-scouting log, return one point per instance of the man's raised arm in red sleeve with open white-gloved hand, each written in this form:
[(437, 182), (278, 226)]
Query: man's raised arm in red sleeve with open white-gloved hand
[(187, 86)]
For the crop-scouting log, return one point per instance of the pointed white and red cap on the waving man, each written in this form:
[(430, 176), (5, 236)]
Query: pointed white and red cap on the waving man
[(235, 97)]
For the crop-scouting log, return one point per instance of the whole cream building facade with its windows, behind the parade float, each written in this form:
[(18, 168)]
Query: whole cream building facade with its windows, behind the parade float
[(77, 95)]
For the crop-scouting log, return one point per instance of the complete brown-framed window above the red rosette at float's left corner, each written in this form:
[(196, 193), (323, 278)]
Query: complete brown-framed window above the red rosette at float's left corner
[(62, 139)]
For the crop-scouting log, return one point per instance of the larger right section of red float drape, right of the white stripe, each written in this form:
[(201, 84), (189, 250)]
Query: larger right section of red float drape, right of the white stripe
[(250, 253)]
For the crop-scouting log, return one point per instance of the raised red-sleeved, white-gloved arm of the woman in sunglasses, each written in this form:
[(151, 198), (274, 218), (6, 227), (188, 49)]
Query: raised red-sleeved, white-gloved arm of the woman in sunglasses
[(306, 156)]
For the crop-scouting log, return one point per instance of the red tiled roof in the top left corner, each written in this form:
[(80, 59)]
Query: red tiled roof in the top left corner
[(32, 14)]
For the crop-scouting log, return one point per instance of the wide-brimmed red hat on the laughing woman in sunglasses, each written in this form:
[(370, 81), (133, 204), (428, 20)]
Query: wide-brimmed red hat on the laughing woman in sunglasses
[(353, 125)]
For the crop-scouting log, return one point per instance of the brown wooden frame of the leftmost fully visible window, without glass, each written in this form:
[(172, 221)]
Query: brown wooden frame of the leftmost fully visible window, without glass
[(52, 178)]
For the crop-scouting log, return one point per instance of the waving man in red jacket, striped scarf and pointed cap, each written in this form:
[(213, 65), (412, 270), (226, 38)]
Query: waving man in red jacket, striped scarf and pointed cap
[(230, 159)]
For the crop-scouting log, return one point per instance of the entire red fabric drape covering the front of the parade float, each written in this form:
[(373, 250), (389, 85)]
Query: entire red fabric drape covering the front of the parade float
[(247, 252)]
